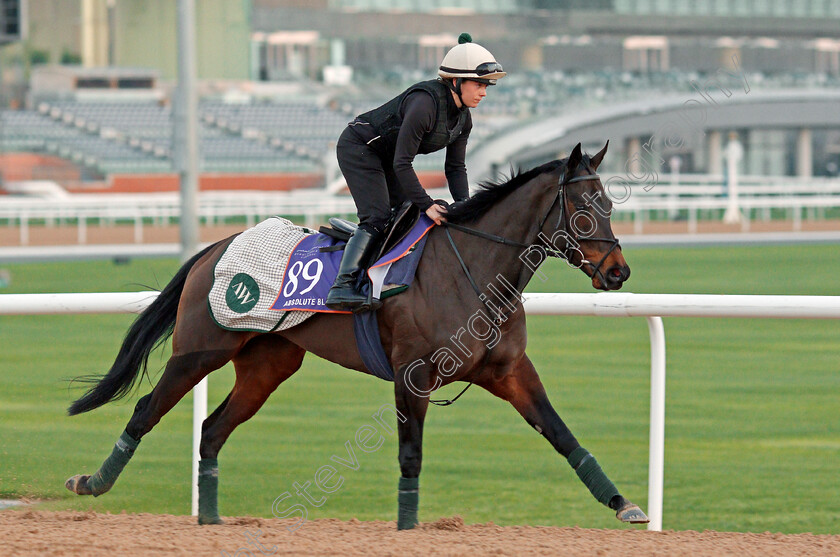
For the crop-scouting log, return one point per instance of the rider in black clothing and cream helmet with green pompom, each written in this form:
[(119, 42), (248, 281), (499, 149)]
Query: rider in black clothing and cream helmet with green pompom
[(376, 151)]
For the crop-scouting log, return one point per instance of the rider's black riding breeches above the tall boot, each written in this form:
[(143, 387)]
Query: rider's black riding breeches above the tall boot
[(372, 183)]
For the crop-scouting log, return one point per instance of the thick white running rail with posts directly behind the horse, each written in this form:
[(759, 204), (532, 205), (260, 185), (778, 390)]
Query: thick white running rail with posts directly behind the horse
[(607, 304)]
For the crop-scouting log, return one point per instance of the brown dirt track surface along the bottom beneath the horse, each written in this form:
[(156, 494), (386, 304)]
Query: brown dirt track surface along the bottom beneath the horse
[(26, 532)]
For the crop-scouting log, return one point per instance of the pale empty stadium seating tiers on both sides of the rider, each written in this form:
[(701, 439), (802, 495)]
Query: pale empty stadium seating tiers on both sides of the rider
[(298, 136)]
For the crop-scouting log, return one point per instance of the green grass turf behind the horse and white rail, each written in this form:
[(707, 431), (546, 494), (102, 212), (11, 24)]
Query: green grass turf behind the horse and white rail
[(752, 434)]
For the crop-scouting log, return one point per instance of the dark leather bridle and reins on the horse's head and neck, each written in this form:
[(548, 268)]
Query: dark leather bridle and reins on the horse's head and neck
[(571, 235)]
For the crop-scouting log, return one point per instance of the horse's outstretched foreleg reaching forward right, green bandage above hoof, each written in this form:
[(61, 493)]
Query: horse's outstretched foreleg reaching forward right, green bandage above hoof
[(524, 390)]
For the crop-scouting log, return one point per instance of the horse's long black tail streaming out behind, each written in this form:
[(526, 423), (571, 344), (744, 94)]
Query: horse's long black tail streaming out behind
[(149, 330)]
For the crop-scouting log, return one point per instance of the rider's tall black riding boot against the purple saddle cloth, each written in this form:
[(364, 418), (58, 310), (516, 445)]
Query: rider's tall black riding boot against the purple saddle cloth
[(343, 294)]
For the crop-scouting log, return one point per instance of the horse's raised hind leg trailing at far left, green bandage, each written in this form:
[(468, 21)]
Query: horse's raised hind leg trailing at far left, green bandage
[(182, 373)]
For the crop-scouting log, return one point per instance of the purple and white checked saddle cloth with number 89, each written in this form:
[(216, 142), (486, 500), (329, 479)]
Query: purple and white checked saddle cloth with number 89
[(275, 275)]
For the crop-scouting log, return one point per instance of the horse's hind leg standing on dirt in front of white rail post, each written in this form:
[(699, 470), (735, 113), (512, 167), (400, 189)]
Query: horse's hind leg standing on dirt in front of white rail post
[(261, 366)]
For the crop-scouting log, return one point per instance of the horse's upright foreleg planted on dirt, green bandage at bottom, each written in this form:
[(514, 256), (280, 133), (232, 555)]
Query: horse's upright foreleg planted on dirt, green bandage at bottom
[(412, 404)]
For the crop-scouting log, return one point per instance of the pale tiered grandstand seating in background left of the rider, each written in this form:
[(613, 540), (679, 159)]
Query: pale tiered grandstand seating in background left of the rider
[(117, 138)]
